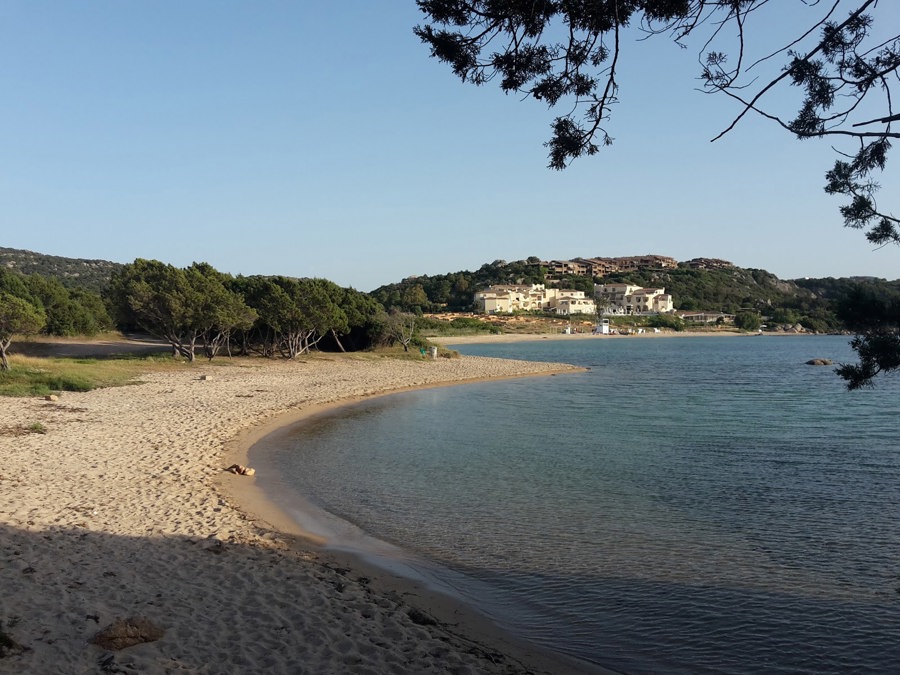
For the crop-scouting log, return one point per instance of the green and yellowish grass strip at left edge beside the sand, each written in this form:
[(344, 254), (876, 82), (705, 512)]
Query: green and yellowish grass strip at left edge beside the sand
[(34, 376)]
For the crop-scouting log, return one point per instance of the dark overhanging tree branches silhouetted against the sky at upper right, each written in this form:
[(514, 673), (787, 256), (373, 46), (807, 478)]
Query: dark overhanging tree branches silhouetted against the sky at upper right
[(568, 53)]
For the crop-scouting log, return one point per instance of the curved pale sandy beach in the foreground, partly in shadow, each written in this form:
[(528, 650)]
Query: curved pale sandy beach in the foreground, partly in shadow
[(122, 508)]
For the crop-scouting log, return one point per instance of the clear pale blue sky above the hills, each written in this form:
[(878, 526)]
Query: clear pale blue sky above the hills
[(319, 139)]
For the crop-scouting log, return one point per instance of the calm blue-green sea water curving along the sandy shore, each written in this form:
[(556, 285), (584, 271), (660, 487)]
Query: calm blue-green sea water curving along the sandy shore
[(685, 506)]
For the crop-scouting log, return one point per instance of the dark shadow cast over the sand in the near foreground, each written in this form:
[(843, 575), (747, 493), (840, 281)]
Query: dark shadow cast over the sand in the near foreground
[(221, 607)]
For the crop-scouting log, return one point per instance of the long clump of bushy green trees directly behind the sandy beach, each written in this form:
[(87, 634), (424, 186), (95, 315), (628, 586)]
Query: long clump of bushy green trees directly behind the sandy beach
[(200, 307)]
